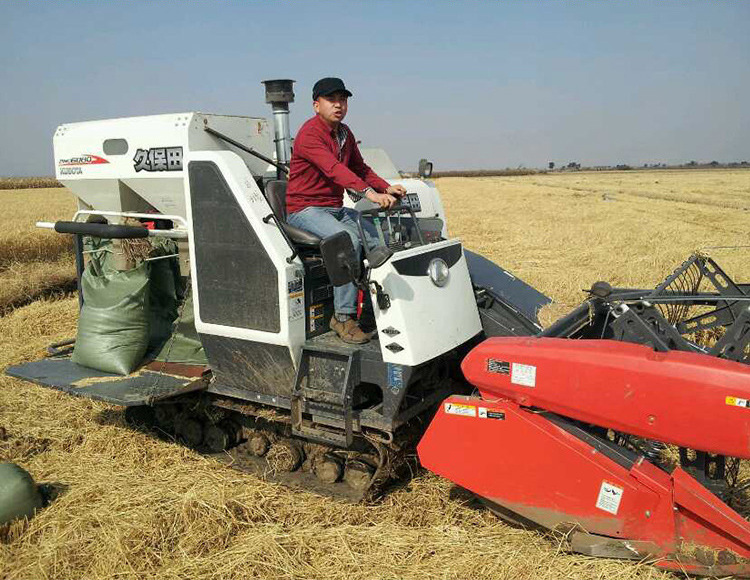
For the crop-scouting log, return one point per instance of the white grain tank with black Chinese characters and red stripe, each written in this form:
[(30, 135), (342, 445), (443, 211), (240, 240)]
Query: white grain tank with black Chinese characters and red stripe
[(151, 163)]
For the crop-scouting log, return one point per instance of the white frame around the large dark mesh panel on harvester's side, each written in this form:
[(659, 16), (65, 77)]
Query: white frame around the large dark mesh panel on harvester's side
[(255, 208)]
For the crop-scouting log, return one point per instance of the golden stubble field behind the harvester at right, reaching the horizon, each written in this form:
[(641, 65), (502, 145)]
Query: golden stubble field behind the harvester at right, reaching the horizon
[(562, 232)]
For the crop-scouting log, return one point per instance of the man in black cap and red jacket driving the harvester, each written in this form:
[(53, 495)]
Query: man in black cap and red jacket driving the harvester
[(325, 161)]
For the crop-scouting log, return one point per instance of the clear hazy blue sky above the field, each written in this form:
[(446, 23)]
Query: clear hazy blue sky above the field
[(466, 84)]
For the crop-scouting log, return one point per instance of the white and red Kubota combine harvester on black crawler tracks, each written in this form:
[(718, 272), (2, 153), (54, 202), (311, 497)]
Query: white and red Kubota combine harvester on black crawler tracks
[(206, 316)]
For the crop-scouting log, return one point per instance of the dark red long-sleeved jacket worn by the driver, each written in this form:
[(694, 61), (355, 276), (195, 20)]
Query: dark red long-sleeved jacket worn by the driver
[(319, 171)]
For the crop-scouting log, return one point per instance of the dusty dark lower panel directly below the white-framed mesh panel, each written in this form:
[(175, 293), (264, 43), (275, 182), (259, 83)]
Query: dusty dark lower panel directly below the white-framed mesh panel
[(251, 367)]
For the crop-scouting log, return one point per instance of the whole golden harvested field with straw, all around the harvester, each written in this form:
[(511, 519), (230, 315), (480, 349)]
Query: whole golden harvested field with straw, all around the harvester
[(135, 507)]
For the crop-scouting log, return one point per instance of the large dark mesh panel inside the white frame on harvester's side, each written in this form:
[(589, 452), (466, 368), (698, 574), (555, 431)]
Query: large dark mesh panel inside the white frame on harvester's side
[(237, 280)]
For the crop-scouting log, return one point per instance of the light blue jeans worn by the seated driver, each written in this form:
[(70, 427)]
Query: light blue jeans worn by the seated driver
[(326, 221)]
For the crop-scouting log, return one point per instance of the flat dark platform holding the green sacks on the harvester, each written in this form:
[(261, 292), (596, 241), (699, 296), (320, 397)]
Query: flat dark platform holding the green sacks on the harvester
[(145, 386)]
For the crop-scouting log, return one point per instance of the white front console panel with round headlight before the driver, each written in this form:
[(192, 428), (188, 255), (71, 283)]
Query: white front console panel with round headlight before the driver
[(430, 320)]
